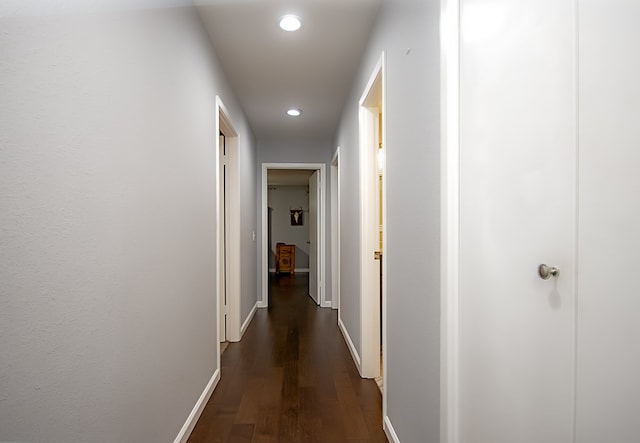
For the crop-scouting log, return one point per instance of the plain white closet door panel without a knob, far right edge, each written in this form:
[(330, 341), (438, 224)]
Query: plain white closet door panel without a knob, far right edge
[(608, 391)]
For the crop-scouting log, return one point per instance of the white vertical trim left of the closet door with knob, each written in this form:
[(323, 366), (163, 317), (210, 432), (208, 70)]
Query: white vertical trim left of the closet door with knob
[(450, 227)]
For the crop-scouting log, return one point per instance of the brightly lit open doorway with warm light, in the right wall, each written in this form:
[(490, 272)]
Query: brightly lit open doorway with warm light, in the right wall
[(373, 225)]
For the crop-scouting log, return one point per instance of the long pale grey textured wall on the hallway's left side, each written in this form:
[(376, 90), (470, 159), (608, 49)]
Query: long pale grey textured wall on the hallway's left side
[(107, 293)]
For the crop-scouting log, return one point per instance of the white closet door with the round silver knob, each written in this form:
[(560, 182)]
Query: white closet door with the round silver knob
[(517, 211)]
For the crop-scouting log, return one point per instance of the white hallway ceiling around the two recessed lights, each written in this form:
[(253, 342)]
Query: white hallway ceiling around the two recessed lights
[(272, 70)]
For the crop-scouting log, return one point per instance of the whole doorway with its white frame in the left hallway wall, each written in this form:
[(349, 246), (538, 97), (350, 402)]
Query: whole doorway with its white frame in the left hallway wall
[(227, 232)]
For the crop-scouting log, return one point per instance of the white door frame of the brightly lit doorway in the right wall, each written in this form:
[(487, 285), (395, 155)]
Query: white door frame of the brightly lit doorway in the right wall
[(370, 313)]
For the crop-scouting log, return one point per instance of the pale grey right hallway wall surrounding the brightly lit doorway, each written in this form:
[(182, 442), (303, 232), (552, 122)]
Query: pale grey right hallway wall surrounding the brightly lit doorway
[(408, 31)]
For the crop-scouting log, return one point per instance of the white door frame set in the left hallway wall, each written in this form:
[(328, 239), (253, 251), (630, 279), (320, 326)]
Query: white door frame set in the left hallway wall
[(224, 125)]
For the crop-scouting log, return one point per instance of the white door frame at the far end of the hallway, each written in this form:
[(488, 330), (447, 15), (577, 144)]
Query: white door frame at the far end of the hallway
[(321, 168)]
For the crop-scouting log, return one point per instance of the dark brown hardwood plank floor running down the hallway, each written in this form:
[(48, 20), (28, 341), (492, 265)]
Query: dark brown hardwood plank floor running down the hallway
[(291, 379)]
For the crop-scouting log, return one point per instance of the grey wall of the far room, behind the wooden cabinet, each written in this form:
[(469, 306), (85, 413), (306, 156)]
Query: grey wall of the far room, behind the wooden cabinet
[(282, 199)]
